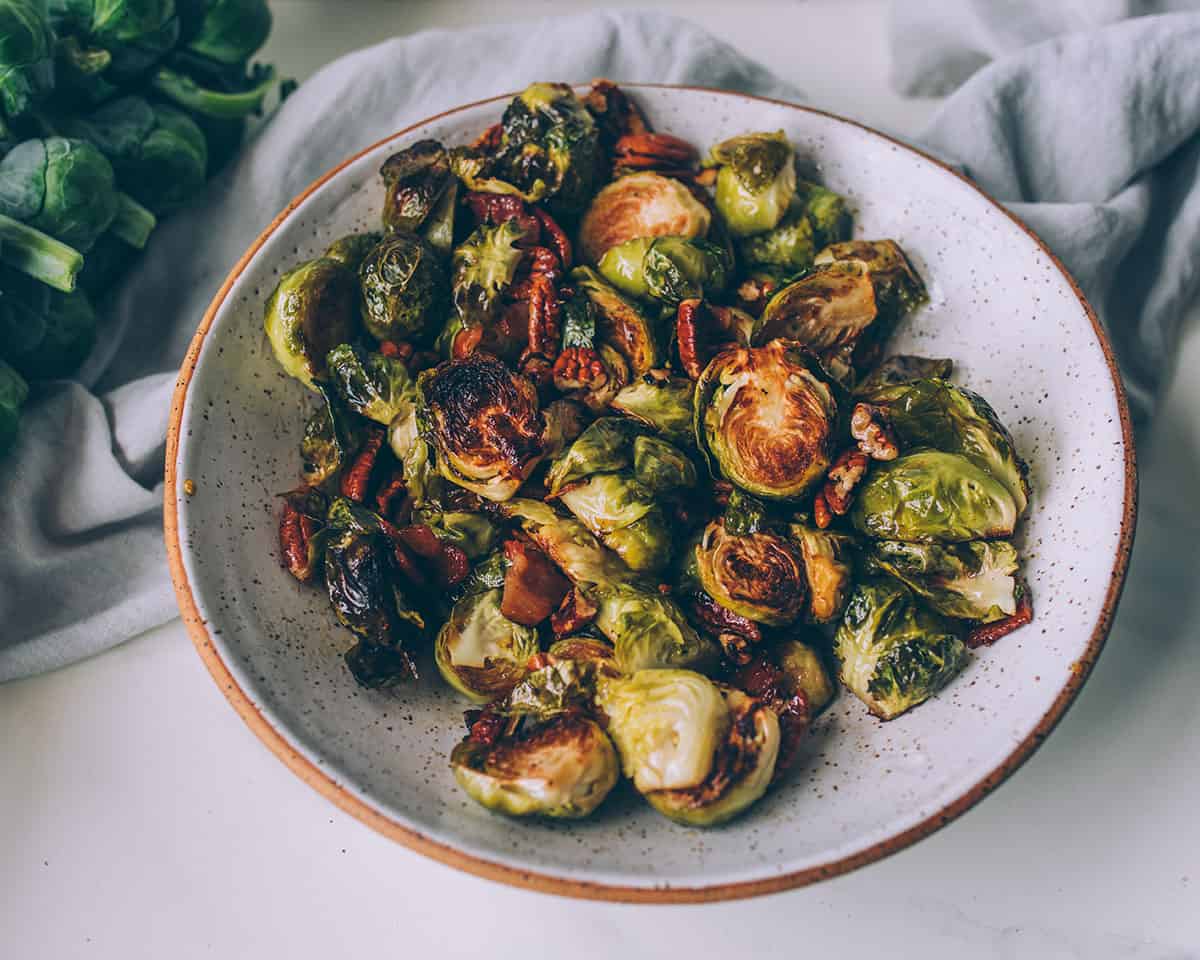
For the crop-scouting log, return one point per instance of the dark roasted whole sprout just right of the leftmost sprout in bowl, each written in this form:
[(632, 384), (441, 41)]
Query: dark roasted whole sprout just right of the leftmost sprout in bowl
[(403, 286)]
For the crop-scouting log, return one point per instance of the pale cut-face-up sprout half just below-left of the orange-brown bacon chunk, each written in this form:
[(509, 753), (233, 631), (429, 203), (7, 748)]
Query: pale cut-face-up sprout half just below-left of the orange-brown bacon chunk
[(482, 653)]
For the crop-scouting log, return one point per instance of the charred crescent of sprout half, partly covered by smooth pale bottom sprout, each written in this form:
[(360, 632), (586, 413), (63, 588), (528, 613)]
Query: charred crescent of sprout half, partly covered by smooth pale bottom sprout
[(742, 769)]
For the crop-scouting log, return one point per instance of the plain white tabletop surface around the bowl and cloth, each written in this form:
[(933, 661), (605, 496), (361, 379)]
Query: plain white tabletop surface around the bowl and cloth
[(140, 818)]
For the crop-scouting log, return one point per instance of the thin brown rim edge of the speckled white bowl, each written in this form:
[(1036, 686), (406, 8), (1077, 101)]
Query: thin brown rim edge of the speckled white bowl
[(279, 743)]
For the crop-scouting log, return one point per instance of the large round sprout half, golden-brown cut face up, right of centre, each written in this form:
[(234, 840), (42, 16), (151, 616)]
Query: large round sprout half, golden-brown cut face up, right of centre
[(766, 418)]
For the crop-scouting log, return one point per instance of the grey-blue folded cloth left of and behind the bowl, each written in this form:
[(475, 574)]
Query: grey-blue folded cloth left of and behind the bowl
[(81, 497)]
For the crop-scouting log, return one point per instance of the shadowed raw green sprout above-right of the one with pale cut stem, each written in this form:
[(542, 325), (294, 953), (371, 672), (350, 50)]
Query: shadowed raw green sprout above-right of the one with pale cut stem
[(159, 154)]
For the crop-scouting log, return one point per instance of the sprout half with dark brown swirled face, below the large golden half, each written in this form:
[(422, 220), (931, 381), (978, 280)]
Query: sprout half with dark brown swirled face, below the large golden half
[(759, 575)]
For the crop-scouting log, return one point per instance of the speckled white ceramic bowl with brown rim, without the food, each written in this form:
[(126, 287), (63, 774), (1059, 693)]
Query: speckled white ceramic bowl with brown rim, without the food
[(1021, 334)]
